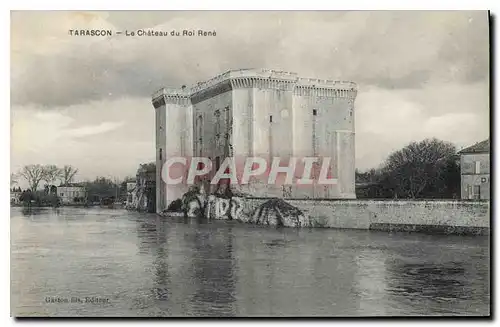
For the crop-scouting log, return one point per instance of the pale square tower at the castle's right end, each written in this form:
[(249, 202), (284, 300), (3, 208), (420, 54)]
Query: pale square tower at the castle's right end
[(323, 112)]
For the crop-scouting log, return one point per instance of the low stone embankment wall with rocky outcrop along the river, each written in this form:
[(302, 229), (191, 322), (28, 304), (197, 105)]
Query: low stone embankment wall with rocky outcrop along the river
[(427, 216)]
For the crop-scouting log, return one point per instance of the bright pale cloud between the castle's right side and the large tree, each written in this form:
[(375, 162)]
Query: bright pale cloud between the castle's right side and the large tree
[(387, 120)]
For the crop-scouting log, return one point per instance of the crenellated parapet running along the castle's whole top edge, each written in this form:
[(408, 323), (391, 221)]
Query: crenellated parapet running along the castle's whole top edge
[(259, 79)]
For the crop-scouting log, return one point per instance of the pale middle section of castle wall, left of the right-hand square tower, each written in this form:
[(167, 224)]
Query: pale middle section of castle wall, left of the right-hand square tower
[(262, 125)]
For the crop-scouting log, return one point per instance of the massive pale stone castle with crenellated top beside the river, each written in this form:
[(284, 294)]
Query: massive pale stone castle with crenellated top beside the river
[(259, 113)]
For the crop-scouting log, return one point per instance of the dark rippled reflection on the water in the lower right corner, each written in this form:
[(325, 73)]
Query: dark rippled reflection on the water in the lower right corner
[(444, 287)]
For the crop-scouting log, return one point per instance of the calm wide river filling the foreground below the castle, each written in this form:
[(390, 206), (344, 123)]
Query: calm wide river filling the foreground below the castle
[(71, 262)]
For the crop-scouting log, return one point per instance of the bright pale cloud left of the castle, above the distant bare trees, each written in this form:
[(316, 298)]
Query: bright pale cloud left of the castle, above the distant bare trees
[(71, 135)]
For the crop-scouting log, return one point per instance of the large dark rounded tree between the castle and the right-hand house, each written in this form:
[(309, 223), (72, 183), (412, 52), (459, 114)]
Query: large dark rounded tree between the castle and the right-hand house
[(423, 169)]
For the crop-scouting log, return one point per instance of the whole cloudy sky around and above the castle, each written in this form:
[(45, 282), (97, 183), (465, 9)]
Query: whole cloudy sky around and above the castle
[(86, 101)]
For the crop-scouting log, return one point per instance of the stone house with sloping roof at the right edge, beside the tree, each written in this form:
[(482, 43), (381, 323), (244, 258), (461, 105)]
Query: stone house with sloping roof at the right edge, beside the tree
[(475, 171)]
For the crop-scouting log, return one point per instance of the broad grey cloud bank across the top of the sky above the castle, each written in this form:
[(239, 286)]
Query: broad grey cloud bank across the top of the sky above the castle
[(385, 49)]
